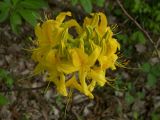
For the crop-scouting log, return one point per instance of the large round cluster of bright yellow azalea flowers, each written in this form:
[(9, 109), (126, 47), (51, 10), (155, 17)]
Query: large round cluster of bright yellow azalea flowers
[(84, 52)]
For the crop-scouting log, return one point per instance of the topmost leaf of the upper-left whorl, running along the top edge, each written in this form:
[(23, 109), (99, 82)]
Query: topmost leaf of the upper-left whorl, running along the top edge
[(34, 4)]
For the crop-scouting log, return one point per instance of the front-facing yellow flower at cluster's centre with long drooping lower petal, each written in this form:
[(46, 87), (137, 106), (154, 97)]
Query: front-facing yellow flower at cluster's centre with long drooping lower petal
[(83, 62)]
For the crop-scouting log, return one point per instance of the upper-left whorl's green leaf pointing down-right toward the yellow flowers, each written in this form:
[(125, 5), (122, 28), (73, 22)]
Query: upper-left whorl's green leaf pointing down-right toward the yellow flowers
[(29, 16)]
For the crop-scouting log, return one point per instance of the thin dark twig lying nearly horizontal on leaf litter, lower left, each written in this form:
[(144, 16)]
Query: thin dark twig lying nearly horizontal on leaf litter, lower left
[(23, 89)]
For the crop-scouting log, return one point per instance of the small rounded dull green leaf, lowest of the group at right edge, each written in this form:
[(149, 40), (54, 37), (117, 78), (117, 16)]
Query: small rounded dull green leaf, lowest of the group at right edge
[(151, 80)]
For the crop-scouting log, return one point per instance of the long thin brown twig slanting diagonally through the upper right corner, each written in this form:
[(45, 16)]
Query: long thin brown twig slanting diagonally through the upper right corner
[(139, 26)]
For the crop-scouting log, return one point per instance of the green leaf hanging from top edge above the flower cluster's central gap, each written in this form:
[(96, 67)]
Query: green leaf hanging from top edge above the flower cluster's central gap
[(87, 5)]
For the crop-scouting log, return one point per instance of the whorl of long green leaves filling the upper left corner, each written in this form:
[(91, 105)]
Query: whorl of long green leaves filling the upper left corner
[(18, 10)]
